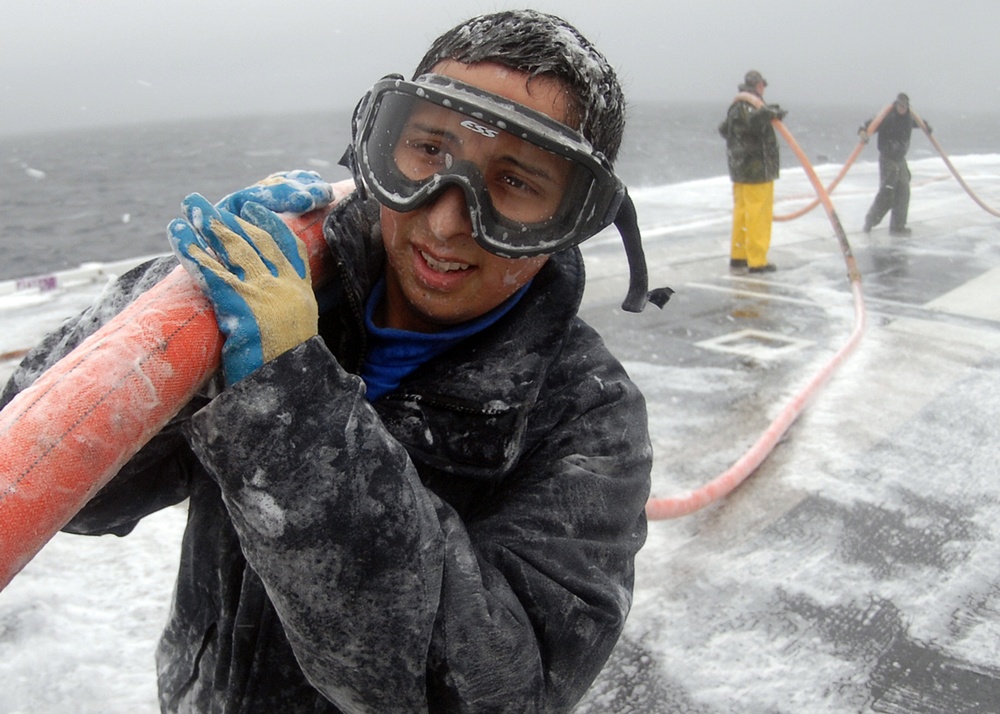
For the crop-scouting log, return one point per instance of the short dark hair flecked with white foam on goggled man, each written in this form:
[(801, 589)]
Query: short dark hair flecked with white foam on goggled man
[(541, 44)]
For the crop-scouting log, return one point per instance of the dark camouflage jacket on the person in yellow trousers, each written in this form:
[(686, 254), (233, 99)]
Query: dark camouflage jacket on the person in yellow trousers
[(751, 144)]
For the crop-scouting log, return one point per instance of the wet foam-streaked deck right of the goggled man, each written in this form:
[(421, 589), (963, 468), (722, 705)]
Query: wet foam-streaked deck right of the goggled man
[(856, 570)]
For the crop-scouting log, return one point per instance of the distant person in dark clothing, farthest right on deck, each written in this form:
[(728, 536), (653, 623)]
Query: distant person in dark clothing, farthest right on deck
[(894, 175)]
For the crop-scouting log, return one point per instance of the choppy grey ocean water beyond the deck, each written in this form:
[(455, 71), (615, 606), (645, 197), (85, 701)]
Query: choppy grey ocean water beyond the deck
[(105, 194)]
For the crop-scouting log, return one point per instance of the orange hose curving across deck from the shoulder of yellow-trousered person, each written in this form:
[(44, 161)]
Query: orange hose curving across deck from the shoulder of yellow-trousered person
[(722, 485)]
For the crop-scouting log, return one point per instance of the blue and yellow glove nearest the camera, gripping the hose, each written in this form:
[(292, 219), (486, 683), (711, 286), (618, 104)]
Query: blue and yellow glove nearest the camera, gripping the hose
[(255, 272)]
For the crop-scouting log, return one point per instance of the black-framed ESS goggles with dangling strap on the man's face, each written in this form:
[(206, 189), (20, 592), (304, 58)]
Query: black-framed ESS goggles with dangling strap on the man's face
[(532, 185)]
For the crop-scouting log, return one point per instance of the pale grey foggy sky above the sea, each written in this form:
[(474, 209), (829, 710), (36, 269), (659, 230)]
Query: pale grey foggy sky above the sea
[(67, 63)]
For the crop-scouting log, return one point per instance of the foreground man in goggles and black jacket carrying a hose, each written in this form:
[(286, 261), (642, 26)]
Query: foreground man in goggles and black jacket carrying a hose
[(425, 490)]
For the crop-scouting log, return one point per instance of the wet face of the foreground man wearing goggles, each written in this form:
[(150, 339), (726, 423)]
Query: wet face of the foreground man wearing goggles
[(436, 273)]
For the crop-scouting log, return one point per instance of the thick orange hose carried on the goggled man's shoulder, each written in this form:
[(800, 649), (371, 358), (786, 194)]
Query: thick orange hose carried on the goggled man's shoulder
[(66, 435)]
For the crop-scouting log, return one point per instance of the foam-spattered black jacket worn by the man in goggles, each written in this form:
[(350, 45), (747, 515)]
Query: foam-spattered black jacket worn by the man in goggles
[(465, 544)]
